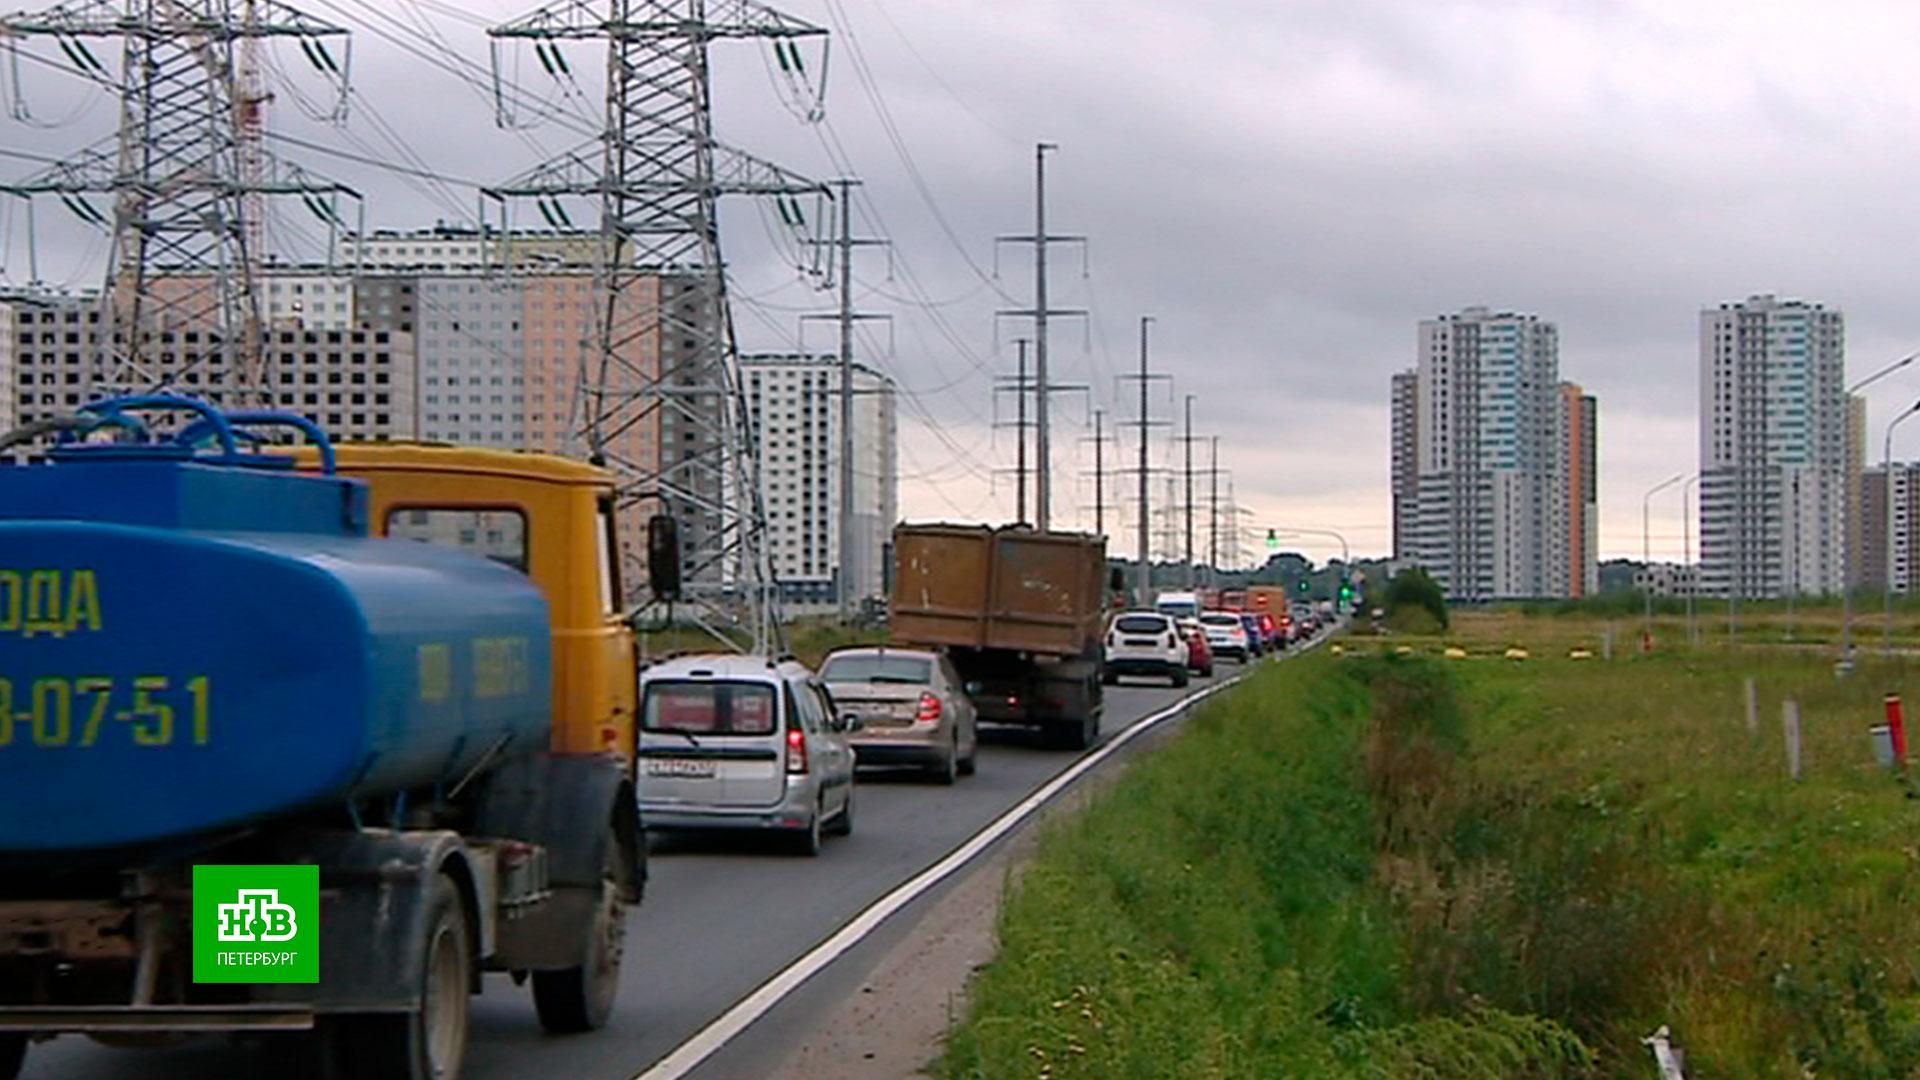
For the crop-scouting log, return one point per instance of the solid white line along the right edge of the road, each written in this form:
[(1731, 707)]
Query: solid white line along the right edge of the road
[(700, 1046)]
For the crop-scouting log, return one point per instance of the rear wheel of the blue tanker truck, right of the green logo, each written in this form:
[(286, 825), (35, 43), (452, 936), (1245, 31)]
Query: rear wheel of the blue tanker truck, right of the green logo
[(431, 1041)]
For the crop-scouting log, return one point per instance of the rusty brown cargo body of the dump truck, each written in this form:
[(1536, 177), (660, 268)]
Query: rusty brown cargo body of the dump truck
[(999, 589)]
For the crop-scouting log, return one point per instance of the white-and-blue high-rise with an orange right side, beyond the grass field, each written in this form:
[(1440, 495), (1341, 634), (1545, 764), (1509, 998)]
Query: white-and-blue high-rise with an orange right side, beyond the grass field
[(1489, 497)]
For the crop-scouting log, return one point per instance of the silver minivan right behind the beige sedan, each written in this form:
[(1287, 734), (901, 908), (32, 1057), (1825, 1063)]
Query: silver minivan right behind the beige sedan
[(744, 743)]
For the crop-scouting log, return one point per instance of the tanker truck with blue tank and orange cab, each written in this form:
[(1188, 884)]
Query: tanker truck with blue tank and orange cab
[(277, 762)]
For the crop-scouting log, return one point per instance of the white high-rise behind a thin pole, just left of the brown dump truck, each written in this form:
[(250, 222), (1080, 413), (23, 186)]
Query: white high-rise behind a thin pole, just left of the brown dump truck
[(794, 405)]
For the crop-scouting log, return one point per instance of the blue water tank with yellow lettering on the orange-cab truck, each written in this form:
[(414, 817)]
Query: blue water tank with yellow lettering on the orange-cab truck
[(191, 647)]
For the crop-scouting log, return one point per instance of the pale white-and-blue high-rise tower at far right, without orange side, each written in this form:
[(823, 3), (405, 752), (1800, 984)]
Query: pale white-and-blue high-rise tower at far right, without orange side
[(1773, 449)]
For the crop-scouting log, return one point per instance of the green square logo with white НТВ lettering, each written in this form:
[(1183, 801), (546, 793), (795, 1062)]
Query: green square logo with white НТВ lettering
[(256, 923)]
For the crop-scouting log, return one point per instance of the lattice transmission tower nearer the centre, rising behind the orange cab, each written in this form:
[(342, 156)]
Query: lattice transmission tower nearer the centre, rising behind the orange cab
[(661, 349)]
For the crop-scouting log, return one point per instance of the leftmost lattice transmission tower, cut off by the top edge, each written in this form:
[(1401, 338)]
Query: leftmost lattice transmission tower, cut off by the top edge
[(187, 176)]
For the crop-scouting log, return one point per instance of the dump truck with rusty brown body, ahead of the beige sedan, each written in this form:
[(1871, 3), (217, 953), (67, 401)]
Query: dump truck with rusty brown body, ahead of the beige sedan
[(1019, 612)]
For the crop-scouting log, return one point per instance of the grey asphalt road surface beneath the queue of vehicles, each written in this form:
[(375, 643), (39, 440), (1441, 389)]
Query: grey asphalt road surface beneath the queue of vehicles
[(723, 914)]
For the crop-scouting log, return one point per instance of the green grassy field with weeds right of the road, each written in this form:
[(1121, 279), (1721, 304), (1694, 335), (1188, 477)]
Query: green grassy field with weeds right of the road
[(1418, 868)]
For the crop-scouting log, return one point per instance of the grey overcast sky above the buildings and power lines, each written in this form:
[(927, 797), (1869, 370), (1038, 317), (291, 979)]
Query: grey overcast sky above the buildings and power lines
[(1287, 187)]
